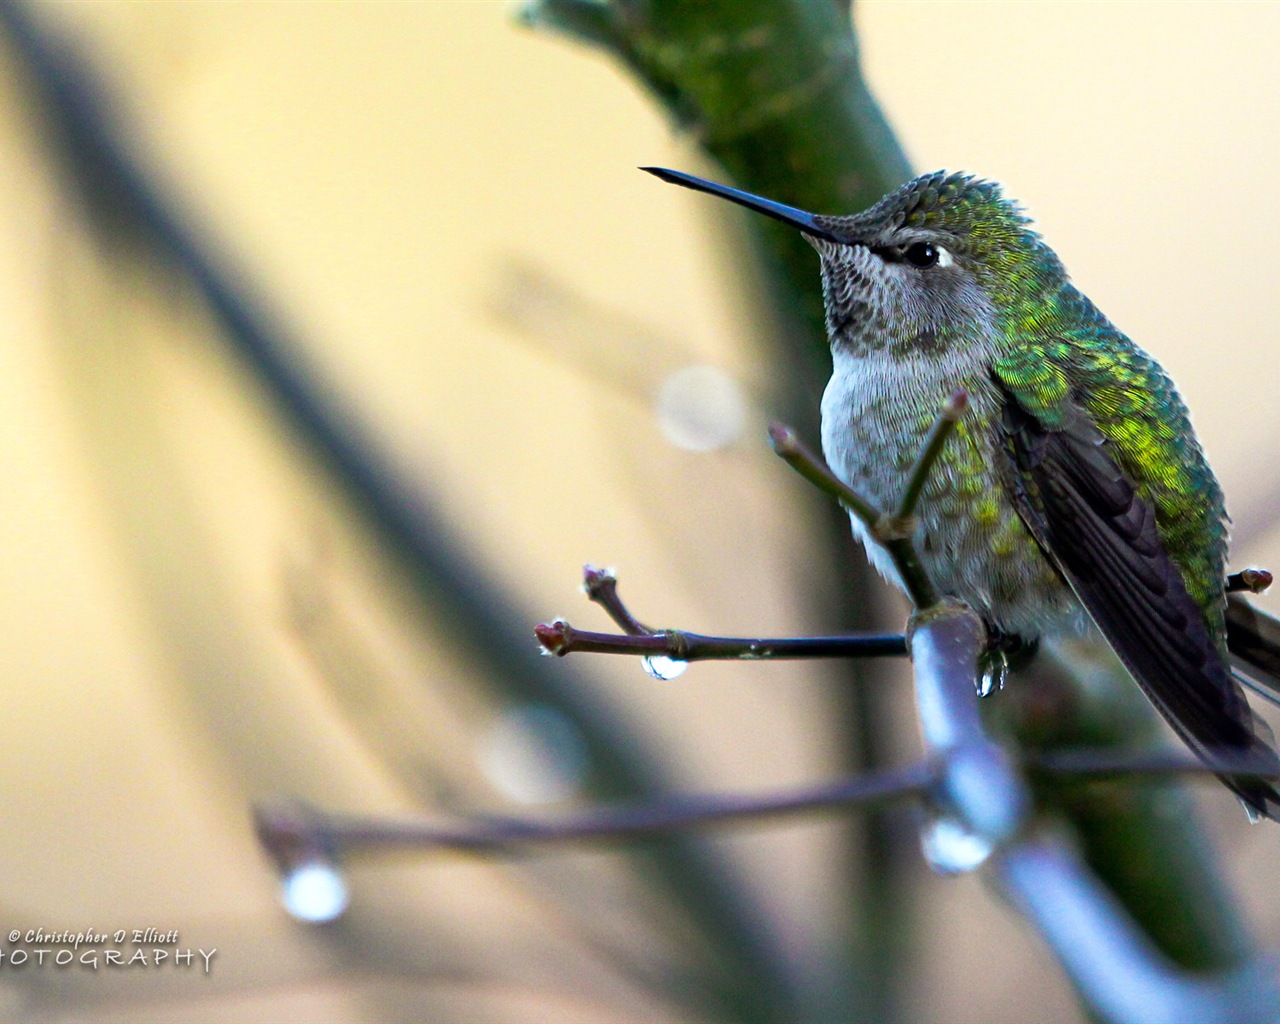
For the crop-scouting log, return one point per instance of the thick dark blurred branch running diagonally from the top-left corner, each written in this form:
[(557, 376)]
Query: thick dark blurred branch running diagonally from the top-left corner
[(127, 204)]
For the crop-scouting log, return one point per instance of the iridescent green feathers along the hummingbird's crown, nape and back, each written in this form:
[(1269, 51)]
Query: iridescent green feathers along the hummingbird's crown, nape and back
[(1063, 350)]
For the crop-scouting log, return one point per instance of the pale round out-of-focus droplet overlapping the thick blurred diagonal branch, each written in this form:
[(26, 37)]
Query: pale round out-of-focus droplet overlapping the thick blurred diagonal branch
[(536, 755)]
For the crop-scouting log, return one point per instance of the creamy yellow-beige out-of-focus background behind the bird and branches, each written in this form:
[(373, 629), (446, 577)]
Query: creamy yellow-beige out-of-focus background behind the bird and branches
[(560, 360)]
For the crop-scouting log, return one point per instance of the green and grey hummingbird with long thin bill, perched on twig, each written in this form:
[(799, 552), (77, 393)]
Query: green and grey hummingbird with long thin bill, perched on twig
[(1075, 488)]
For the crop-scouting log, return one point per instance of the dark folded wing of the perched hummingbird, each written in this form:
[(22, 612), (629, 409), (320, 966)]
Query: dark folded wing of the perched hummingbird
[(1094, 525)]
